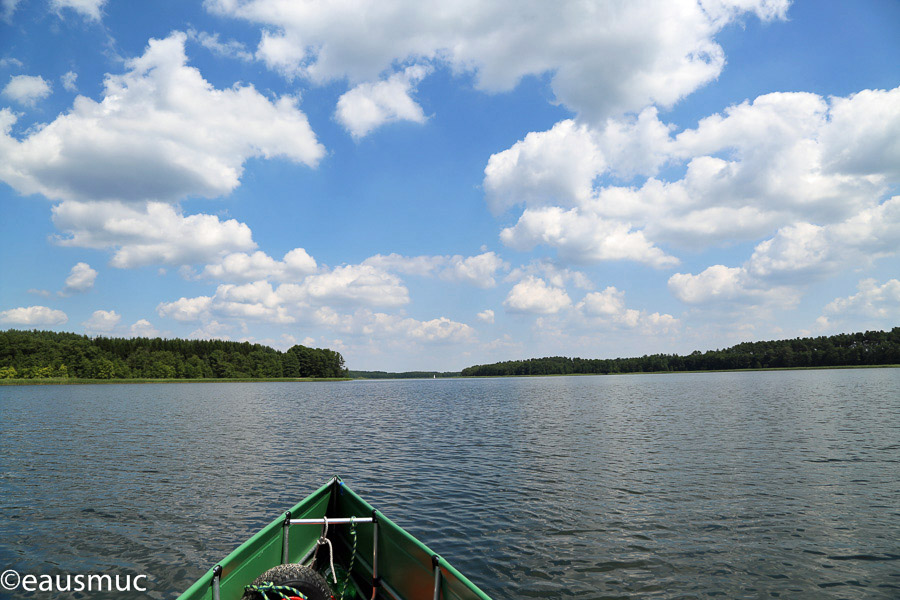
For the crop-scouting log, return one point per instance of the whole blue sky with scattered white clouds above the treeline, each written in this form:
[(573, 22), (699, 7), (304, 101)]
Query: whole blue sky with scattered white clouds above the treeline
[(427, 187)]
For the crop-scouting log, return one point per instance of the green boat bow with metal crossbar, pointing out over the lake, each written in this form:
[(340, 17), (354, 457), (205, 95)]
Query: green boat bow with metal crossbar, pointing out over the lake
[(388, 563)]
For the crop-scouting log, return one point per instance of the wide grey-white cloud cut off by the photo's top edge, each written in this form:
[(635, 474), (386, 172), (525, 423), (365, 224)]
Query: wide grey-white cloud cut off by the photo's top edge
[(603, 58)]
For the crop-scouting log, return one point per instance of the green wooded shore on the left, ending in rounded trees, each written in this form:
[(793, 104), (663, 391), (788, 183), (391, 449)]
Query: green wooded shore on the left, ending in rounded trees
[(41, 354)]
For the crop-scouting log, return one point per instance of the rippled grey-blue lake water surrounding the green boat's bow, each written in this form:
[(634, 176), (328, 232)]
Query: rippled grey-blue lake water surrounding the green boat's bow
[(731, 485)]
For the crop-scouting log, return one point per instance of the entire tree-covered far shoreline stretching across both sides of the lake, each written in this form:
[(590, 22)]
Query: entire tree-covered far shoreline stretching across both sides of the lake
[(45, 354)]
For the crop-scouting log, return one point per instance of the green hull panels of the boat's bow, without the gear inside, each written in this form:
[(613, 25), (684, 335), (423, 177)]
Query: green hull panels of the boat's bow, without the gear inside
[(405, 565)]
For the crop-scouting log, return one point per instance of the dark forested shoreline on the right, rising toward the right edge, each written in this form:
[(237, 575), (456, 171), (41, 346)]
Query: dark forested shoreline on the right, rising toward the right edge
[(852, 349)]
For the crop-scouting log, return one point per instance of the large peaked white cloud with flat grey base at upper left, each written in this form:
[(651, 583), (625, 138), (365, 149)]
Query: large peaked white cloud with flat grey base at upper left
[(160, 133)]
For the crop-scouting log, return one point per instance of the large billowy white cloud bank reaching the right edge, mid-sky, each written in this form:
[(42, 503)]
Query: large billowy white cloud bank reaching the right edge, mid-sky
[(783, 162)]
